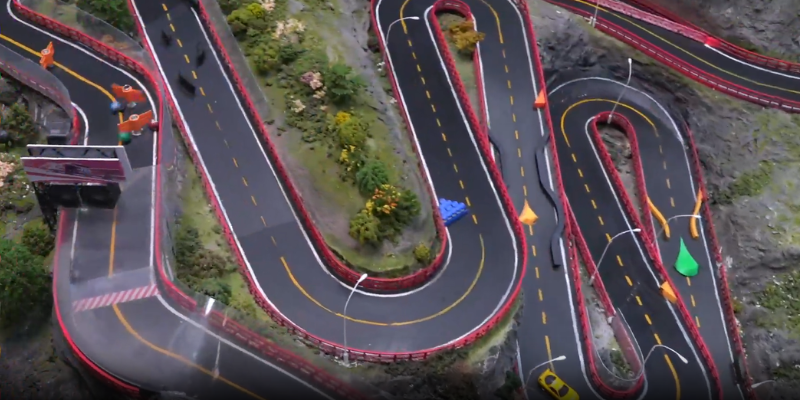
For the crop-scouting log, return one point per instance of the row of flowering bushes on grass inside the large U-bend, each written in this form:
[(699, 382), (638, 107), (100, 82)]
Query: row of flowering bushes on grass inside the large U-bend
[(321, 95)]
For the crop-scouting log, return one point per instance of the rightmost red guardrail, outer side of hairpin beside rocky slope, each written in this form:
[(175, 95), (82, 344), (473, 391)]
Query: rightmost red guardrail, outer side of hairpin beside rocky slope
[(722, 280)]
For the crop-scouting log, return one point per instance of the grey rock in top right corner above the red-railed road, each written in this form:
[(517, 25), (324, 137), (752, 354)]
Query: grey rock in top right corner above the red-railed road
[(772, 25)]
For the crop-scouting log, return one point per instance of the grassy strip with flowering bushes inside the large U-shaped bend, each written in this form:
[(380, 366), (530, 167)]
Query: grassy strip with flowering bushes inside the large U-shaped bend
[(302, 67)]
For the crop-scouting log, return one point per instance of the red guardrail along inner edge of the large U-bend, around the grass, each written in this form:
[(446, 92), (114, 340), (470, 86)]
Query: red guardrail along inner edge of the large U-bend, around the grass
[(331, 260)]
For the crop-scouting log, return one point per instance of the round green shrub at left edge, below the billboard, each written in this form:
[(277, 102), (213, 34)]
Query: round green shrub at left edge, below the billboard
[(24, 283)]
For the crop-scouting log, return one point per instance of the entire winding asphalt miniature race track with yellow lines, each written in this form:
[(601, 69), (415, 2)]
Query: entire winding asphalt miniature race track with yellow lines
[(154, 344)]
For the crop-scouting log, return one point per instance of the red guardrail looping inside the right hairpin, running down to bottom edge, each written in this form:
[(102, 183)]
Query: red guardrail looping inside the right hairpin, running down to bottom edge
[(647, 236)]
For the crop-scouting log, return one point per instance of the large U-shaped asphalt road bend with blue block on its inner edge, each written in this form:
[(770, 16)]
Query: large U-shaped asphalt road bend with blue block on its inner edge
[(483, 262)]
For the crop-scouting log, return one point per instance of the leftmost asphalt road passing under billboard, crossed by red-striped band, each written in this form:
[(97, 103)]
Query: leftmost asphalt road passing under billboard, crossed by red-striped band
[(145, 342)]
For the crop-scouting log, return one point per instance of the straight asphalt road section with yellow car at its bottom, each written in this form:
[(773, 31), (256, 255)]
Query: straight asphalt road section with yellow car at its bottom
[(521, 135)]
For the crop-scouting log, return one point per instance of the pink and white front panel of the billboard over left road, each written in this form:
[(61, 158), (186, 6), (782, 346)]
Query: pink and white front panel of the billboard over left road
[(66, 171)]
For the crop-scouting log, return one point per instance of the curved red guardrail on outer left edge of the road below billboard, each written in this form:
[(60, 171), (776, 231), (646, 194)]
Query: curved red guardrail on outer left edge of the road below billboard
[(87, 364)]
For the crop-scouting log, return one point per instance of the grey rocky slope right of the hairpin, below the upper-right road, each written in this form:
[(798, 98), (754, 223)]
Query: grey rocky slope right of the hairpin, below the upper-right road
[(750, 158)]
